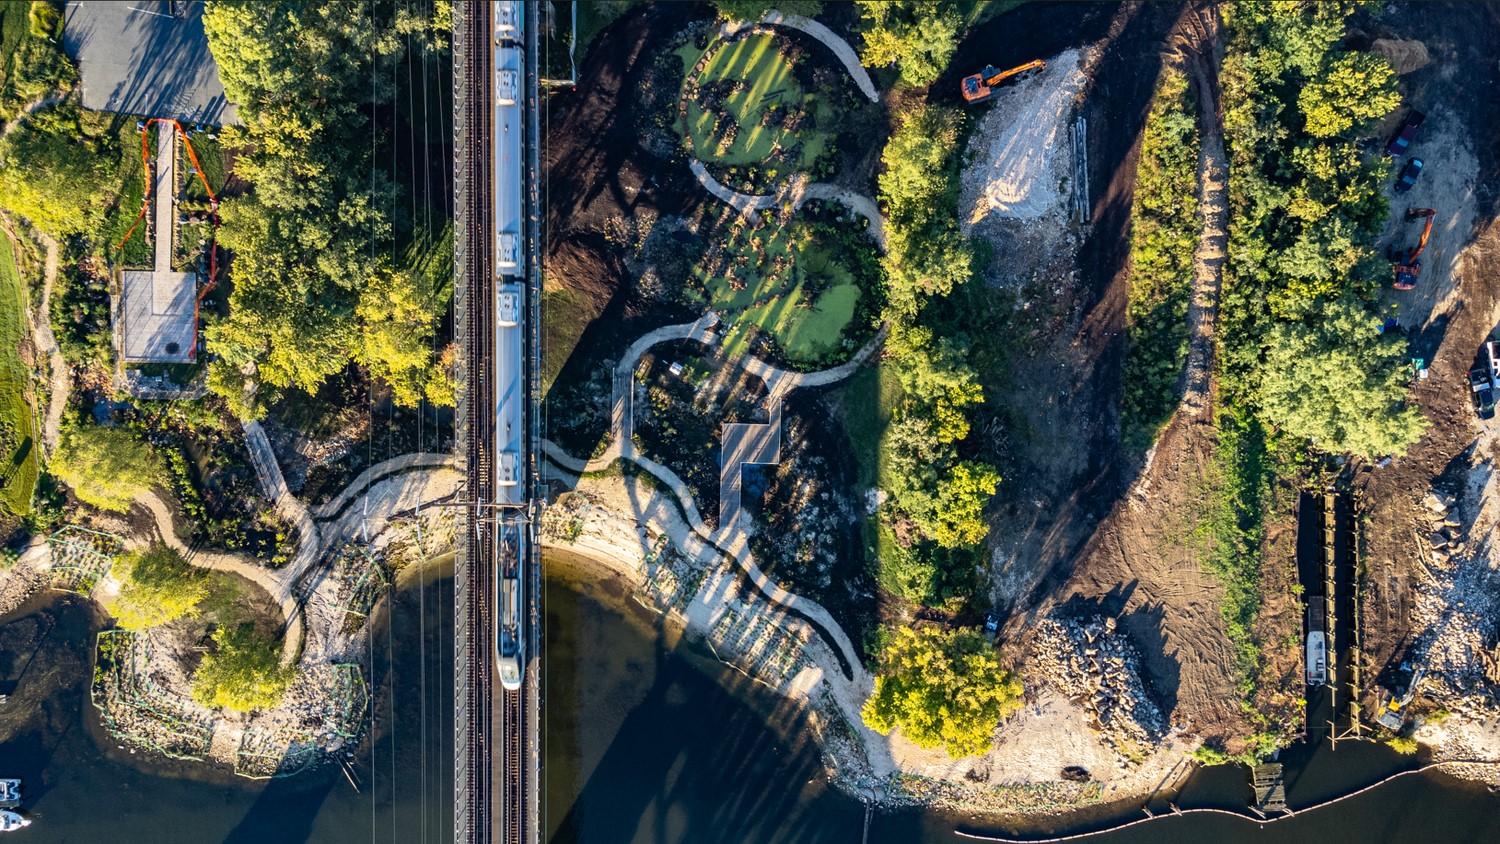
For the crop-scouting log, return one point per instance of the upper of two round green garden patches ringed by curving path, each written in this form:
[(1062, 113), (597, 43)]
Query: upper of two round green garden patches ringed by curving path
[(769, 79)]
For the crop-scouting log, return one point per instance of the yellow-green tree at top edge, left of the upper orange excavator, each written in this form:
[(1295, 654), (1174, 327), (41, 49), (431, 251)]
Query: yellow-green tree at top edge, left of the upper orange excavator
[(917, 37)]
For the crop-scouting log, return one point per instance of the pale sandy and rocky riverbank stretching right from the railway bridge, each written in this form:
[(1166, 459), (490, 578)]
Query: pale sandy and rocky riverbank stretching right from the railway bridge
[(619, 528)]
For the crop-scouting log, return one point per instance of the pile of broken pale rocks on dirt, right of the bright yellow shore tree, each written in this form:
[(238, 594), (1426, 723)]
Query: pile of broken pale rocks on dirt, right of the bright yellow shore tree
[(1099, 668)]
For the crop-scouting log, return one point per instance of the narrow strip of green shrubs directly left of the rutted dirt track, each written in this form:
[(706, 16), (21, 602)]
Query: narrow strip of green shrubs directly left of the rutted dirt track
[(1165, 233)]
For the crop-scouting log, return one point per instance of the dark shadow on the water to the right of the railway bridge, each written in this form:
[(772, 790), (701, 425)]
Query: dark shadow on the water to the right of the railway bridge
[(695, 762)]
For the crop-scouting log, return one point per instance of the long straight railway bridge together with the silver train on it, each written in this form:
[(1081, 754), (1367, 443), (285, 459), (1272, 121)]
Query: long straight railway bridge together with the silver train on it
[(497, 308)]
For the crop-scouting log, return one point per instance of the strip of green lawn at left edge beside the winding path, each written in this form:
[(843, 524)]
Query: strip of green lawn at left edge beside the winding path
[(19, 461)]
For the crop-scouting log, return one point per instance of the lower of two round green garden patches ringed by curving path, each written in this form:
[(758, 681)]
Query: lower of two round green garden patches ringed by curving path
[(770, 293)]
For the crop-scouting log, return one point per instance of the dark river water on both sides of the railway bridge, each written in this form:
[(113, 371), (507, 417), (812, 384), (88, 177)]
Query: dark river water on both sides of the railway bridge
[(649, 743)]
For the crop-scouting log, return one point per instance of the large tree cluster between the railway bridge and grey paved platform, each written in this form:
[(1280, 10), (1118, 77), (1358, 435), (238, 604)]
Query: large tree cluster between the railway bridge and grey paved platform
[(314, 287)]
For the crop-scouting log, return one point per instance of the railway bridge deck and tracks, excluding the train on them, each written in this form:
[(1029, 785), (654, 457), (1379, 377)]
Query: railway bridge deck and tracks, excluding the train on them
[(497, 759)]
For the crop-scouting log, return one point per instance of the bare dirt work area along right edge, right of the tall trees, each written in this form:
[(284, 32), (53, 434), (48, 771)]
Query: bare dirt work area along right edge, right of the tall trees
[(1454, 308)]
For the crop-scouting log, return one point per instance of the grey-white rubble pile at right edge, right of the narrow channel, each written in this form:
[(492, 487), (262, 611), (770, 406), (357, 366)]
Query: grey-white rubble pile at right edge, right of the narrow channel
[(1454, 608)]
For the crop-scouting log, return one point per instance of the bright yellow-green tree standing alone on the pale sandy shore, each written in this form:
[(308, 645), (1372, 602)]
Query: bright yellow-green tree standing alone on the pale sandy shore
[(943, 689)]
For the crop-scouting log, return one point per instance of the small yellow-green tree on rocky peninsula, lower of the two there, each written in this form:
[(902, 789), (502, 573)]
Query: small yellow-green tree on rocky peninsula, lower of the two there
[(244, 674)]
